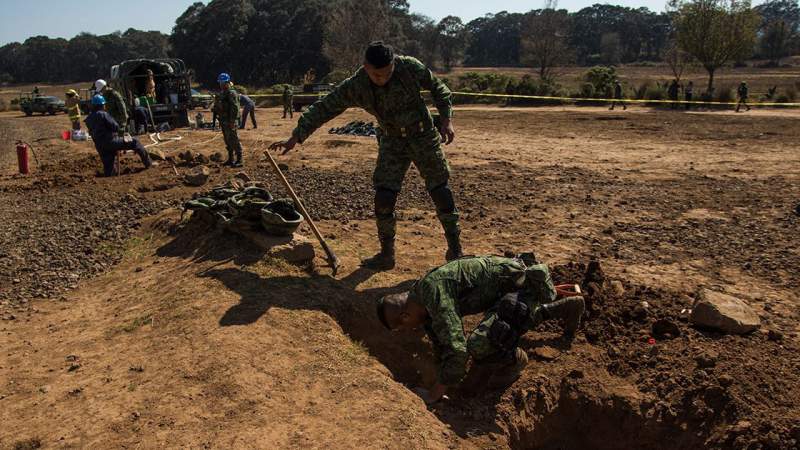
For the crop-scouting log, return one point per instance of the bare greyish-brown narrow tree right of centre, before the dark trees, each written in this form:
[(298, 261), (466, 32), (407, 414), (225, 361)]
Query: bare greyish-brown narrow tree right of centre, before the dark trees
[(544, 39)]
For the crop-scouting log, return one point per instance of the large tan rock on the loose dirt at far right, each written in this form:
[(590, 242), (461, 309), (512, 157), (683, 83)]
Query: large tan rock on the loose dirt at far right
[(723, 312)]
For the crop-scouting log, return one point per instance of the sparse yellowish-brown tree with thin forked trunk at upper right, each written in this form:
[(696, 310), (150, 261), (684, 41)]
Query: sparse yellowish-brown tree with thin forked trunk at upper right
[(716, 32)]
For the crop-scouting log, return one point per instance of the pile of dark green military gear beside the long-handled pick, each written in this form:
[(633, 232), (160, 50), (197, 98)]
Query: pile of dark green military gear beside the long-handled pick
[(250, 207)]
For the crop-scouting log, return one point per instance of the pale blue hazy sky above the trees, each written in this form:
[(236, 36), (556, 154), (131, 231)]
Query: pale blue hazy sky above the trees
[(22, 19)]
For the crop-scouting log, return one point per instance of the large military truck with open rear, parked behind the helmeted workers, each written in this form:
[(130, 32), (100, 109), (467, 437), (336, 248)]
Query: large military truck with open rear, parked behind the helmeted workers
[(173, 90)]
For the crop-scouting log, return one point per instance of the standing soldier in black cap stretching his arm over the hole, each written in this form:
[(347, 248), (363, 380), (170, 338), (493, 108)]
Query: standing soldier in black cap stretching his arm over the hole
[(388, 87)]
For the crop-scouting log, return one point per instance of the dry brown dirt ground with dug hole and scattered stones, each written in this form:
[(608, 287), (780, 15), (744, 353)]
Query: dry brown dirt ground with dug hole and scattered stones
[(123, 326)]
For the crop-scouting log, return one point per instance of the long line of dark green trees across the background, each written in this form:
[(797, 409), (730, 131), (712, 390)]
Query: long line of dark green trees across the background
[(265, 42)]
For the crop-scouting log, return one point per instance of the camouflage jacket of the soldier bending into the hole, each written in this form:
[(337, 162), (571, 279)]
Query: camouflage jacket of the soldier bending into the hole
[(459, 288)]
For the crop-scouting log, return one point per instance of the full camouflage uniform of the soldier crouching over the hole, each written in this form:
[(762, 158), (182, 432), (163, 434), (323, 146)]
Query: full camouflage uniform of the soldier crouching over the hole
[(472, 285)]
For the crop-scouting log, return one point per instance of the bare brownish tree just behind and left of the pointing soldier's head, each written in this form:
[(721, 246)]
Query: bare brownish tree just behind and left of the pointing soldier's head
[(351, 25)]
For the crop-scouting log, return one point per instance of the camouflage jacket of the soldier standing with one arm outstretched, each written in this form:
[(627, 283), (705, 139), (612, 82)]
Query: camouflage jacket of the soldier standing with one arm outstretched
[(397, 104)]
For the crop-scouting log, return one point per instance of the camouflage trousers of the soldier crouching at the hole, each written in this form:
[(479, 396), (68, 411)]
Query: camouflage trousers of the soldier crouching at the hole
[(538, 289)]
